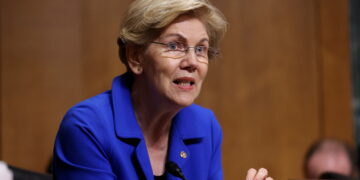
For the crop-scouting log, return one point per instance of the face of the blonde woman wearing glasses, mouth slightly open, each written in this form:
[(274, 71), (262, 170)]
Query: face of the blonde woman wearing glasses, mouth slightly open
[(174, 78)]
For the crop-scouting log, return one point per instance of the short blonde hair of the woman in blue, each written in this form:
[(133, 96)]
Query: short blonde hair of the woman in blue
[(145, 19)]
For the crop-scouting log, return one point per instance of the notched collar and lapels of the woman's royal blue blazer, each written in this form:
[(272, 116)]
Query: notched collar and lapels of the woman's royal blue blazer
[(126, 125)]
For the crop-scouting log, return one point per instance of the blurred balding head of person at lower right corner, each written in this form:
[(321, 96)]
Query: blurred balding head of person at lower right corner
[(330, 159)]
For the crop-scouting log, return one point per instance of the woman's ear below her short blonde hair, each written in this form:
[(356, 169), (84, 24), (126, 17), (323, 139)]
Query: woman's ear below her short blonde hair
[(133, 56)]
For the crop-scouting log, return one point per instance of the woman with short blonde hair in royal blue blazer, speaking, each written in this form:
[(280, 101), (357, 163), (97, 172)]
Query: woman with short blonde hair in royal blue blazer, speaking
[(148, 119)]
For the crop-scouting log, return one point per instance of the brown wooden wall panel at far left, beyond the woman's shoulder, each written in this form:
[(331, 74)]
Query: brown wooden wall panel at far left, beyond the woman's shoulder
[(41, 76)]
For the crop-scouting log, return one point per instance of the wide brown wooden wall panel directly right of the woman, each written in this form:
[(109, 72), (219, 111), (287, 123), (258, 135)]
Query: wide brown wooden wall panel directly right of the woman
[(265, 94)]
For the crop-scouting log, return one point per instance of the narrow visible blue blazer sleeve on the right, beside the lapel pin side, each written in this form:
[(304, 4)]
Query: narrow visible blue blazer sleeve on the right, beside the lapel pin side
[(216, 171)]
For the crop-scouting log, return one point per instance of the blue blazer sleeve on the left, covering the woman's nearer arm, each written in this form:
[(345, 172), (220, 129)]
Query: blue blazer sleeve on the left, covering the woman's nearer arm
[(79, 151)]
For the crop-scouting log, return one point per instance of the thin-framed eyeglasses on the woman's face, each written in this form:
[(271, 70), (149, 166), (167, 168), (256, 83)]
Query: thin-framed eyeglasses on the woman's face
[(178, 50)]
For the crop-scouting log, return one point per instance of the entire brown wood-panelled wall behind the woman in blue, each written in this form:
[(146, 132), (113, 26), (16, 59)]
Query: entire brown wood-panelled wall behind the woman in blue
[(284, 79)]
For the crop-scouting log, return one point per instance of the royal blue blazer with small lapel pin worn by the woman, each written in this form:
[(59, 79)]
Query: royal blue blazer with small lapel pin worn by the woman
[(100, 139)]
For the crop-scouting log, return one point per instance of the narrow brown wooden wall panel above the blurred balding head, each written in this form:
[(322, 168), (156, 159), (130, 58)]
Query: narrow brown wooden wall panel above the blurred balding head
[(336, 76)]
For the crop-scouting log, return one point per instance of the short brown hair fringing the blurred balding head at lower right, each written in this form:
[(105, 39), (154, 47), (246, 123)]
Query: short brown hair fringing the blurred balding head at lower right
[(317, 145)]
